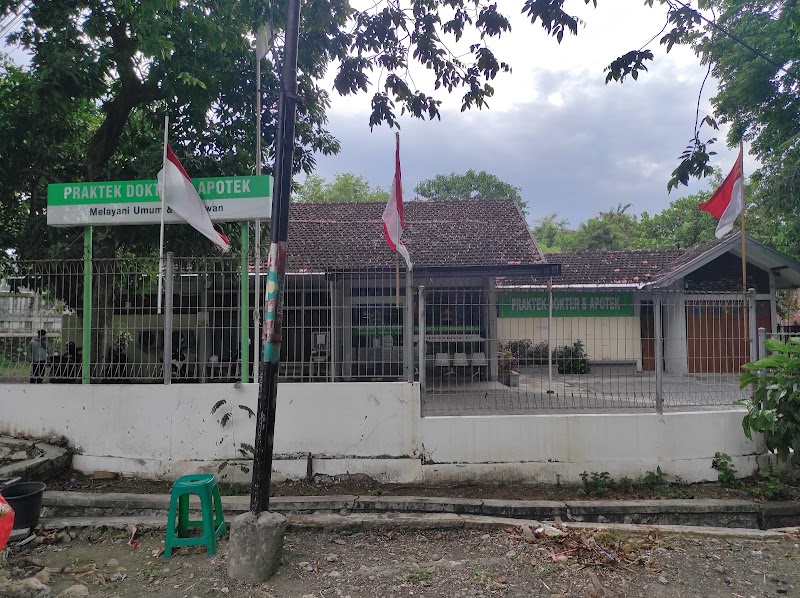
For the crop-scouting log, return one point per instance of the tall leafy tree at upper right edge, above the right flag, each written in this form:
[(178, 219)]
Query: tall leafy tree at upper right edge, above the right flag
[(759, 98)]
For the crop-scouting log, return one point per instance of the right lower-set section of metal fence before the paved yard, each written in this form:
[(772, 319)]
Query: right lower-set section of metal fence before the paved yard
[(595, 350)]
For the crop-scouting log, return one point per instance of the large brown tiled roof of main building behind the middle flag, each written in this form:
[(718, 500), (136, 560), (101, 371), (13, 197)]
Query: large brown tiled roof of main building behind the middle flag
[(326, 236)]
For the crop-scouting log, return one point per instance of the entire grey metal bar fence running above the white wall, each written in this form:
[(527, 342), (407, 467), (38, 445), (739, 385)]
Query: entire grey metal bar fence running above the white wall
[(473, 347)]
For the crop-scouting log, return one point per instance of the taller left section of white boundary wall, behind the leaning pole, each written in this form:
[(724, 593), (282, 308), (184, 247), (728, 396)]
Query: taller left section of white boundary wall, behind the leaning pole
[(164, 431)]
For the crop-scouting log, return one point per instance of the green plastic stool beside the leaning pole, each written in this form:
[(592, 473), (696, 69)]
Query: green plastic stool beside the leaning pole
[(205, 486)]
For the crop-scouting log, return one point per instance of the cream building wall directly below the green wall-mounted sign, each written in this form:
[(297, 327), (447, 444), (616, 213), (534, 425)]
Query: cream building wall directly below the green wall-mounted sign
[(614, 339)]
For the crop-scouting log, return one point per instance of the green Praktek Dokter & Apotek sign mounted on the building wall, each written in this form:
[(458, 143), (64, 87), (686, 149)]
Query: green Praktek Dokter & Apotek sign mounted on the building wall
[(566, 304)]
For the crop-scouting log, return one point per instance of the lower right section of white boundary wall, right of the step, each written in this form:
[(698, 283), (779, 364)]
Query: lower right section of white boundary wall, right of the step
[(544, 448)]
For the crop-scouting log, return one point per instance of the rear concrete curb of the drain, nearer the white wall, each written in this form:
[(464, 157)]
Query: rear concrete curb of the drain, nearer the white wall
[(701, 512)]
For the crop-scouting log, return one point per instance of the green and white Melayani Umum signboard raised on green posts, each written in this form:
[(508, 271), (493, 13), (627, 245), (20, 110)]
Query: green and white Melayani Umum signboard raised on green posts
[(227, 199)]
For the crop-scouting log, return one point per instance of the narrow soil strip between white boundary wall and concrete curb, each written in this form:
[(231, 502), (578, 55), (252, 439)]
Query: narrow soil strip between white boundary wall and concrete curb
[(362, 485)]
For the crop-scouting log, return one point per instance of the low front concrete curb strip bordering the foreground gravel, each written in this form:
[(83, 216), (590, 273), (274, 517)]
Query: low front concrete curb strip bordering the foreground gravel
[(426, 521)]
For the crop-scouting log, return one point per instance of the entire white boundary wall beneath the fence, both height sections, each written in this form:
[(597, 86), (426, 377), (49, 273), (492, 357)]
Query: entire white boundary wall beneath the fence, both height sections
[(372, 428)]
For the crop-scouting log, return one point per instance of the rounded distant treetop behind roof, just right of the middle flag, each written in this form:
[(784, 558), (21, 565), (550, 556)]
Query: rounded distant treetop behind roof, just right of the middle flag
[(470, 185)]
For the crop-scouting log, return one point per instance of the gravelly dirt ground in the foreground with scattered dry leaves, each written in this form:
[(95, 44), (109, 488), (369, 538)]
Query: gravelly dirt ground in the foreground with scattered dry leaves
[(452, 564)]
